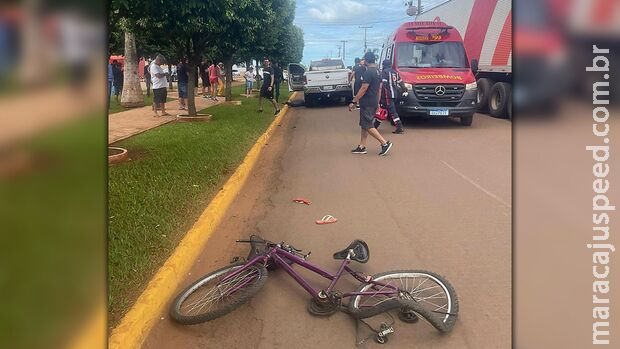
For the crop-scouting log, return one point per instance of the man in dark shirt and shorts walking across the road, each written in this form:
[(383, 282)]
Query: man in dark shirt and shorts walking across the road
[(368, 98)]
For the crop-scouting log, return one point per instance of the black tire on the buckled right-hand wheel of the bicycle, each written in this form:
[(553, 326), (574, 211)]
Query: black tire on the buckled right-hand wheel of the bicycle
[(443, 324)]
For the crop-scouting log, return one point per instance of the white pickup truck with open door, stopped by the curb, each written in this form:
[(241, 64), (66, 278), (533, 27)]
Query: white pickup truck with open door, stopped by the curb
[(325, 79)]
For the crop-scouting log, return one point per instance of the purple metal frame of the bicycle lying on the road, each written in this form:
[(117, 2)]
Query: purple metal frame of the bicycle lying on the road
[(277, 254)]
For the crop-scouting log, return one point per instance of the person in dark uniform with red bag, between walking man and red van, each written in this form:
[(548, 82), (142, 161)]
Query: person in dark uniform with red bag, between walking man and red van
[(392, 83)]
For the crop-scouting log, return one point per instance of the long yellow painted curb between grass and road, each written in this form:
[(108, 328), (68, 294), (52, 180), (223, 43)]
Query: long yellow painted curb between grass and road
[(136, 324)]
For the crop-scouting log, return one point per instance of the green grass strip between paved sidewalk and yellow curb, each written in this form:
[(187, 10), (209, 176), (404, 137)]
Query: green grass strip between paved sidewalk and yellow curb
[(155, 198)]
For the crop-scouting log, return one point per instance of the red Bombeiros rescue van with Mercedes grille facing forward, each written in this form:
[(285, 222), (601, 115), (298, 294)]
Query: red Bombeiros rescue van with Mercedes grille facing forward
[(431, 60)]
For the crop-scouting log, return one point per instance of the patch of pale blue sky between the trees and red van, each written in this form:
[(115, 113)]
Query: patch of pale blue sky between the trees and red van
[(327, 22)]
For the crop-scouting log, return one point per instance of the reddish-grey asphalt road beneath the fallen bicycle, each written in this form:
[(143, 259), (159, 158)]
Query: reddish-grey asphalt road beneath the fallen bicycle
[(439, 201)]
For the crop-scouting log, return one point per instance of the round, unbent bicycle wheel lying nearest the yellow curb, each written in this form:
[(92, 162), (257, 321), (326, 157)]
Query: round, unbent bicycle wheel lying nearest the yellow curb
[(209, 298)]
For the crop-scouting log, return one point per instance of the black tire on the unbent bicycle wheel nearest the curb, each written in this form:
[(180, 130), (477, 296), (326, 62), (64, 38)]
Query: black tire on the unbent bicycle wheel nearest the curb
[(241, 296)]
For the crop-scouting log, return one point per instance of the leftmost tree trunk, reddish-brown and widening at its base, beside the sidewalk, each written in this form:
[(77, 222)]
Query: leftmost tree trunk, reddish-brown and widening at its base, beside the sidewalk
[(132, 91)]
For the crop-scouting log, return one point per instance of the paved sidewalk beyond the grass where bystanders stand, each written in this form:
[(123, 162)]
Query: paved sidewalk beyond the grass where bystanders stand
[(133, 121)]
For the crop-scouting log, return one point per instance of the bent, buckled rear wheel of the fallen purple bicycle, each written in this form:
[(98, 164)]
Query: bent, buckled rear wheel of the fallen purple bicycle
[(427, 293)]
